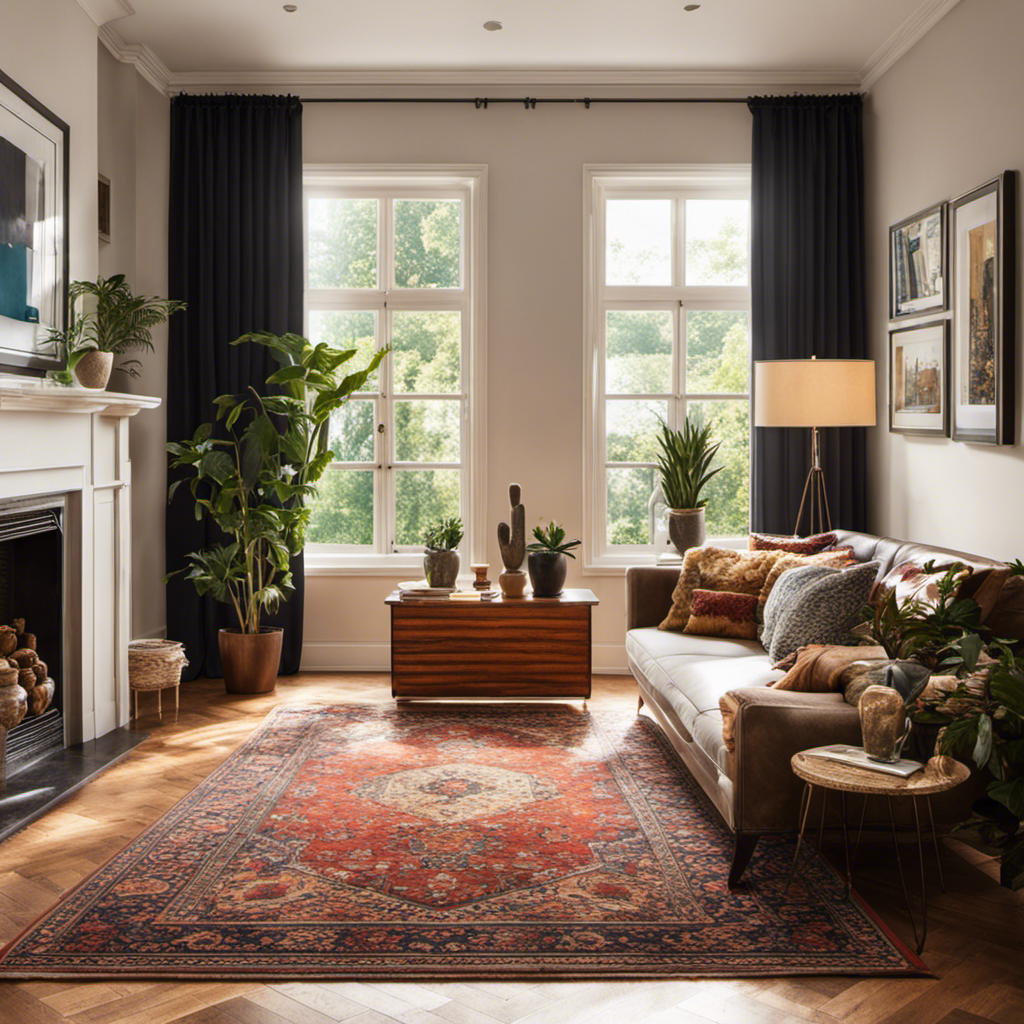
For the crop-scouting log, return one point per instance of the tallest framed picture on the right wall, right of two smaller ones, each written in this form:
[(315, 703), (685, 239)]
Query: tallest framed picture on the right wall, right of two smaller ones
[(983, 355)]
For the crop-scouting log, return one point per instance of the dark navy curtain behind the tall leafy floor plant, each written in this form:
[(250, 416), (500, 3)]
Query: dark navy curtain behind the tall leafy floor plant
[(236, 258)]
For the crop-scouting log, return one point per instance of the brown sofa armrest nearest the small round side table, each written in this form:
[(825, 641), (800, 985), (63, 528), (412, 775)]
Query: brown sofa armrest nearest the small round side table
[(771, 727)]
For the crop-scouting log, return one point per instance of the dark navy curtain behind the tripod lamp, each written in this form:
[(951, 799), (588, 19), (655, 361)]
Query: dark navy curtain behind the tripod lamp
[(807, 280)]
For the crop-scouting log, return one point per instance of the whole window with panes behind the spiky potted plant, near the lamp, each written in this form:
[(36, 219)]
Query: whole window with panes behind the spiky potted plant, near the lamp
[(668, 337)]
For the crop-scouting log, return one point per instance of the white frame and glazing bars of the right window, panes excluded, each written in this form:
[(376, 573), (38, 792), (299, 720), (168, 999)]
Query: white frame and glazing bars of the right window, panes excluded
[(625, 182)]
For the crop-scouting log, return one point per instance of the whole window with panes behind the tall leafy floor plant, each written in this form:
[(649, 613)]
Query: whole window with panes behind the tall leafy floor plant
[(395, 260)]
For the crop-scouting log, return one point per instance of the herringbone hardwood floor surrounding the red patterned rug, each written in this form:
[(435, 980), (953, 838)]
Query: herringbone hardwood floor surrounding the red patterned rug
[(975, 943)]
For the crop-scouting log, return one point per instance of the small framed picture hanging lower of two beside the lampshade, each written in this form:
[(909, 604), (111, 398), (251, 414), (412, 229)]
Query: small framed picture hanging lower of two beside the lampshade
[(919, 390)]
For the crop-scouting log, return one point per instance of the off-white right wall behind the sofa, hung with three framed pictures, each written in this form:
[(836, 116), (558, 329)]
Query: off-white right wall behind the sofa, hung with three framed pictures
[(947, 118)]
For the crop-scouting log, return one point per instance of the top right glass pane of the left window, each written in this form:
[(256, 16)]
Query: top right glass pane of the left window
[(428, 243)]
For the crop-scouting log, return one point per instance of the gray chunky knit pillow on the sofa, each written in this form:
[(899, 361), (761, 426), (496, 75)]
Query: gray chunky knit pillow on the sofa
[(822, 606)]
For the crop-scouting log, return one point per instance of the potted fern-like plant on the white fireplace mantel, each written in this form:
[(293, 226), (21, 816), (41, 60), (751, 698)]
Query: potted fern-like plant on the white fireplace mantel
[(116, 323)]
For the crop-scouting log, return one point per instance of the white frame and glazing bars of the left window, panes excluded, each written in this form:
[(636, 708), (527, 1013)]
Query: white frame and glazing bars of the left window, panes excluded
[(468, 183)]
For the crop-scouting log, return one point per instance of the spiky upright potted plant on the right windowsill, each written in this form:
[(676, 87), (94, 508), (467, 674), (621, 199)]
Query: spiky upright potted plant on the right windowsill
[(684, 464)]
